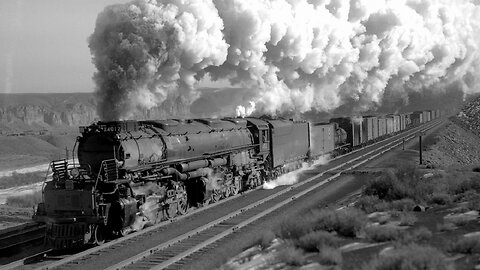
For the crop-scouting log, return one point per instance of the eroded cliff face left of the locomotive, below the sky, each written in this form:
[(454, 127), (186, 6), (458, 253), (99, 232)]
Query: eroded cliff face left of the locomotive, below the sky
[(34, 111)]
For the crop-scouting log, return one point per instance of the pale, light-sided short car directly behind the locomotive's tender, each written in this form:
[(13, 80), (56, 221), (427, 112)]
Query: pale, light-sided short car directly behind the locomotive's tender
[(322, 138)]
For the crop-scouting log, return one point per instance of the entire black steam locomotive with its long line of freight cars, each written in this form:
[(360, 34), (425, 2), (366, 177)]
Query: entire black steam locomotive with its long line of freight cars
[(133, 173)]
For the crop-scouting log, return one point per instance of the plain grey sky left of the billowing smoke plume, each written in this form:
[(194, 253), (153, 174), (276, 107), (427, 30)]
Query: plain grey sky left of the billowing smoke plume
[(43, 45)]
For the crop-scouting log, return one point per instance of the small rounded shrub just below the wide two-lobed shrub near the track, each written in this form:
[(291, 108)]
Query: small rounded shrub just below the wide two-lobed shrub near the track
[(317, 240)]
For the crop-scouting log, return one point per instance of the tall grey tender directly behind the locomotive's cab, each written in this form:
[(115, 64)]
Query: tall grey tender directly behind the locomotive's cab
[(289, 141)]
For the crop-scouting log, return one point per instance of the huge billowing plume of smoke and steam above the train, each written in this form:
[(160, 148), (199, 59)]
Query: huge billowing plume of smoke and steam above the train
[(296, 55)]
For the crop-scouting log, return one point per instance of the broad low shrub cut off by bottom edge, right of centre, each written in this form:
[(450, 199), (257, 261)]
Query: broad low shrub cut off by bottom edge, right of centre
[(410, 257)]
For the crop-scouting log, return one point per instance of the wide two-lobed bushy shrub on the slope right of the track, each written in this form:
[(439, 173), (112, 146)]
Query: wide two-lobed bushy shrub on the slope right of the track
[(345, 222)]
